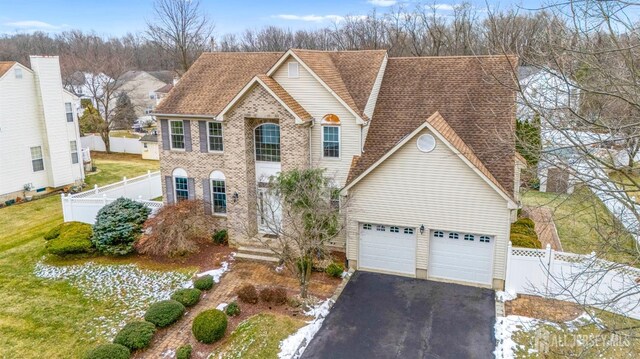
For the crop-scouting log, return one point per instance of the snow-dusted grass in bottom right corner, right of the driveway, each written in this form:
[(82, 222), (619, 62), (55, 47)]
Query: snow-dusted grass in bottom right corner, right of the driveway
[(621, 342)]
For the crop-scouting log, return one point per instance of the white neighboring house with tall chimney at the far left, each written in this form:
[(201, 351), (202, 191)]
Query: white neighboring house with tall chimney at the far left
[(39, 135)]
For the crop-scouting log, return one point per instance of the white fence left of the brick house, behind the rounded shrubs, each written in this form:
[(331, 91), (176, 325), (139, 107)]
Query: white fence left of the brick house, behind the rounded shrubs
[(84, 206)]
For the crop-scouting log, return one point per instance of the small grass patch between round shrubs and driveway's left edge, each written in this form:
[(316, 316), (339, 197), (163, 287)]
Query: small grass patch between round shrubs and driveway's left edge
[(258, 337)]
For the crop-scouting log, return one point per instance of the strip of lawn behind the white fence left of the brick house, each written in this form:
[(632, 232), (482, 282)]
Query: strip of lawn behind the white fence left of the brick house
[(112, 167)]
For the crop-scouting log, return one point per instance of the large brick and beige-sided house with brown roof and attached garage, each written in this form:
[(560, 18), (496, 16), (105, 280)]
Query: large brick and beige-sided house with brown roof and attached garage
[(423, 147)]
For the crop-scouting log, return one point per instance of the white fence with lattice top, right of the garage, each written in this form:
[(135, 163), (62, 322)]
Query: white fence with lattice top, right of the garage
[(584, 279)]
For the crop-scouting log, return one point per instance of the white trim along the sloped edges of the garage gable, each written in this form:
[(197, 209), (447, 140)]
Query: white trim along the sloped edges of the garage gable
[(510, 203)]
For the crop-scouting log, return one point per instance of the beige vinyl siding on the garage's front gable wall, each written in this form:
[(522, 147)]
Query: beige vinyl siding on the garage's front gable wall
[(435, 189)]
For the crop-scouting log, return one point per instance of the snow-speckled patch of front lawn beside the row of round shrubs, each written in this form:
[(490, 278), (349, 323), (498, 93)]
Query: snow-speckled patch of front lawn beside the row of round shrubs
[(127, 288)]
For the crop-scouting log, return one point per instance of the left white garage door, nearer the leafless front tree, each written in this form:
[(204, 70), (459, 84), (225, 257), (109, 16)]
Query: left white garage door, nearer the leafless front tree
[(387, 248)]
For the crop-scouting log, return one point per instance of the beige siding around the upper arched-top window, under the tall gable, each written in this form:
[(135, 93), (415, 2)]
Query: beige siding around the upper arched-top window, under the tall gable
[(318, 101)]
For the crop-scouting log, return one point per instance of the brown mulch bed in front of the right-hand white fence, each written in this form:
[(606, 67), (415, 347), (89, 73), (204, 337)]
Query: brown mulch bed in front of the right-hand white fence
[(542, 308)]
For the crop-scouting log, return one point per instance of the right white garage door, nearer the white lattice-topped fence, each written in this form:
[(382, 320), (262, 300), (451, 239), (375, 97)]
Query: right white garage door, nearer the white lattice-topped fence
[(465, 257)]
